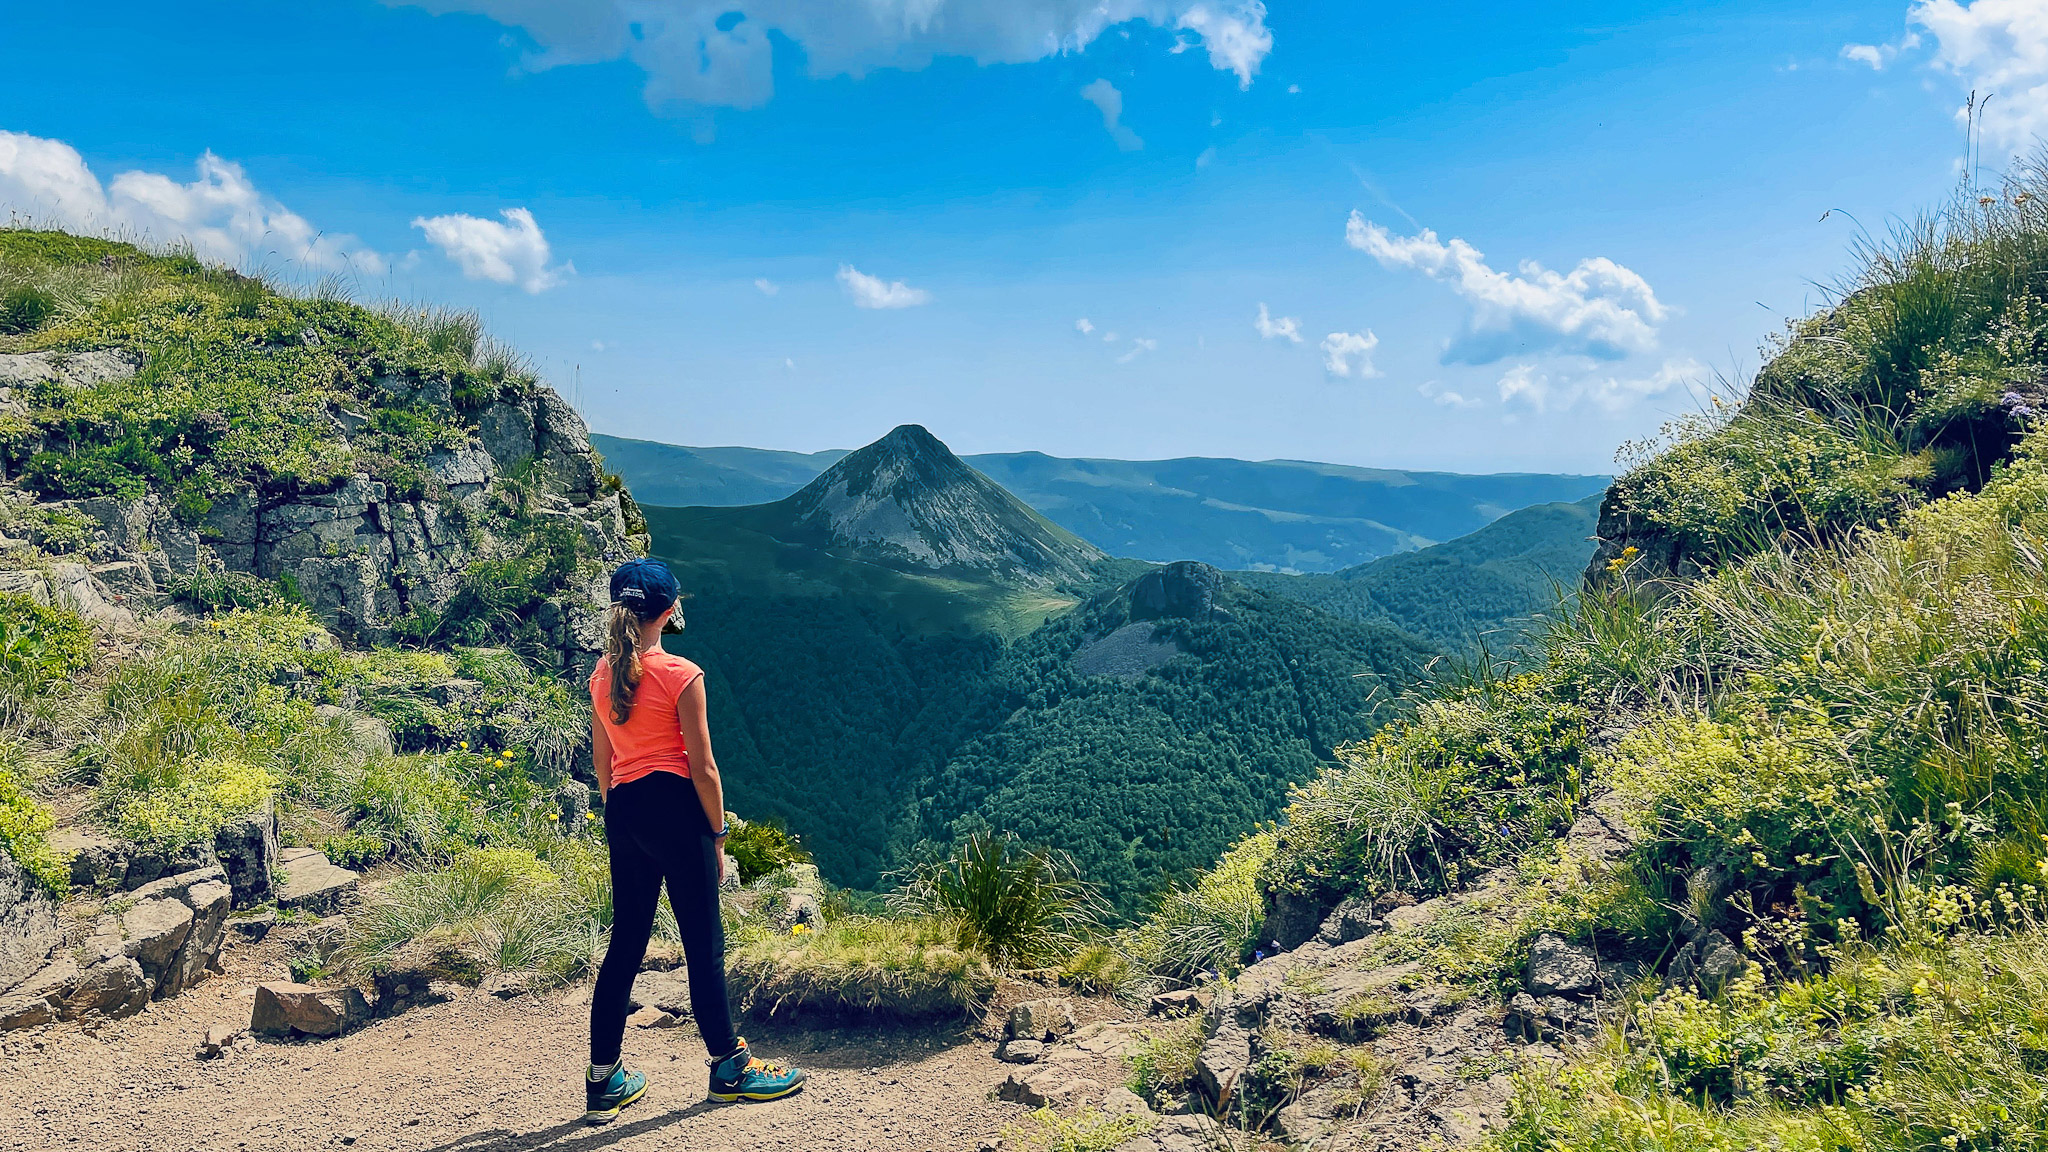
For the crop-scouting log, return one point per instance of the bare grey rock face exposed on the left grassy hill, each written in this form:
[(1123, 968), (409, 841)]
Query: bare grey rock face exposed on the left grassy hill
[(361, 552)]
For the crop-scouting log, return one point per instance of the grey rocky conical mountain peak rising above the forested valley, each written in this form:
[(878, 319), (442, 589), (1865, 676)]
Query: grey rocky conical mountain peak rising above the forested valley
[(910, 503)]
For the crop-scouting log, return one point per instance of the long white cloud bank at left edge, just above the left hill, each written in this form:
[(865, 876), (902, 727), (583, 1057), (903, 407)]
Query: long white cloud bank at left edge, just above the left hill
[(220, 214)]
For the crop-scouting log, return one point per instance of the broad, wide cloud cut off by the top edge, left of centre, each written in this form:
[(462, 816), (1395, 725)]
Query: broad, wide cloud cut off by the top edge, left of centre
[(722, 54)]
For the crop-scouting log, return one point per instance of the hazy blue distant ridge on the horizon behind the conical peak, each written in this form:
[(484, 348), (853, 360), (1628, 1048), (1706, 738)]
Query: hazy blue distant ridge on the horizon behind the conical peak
[(1230, 513)]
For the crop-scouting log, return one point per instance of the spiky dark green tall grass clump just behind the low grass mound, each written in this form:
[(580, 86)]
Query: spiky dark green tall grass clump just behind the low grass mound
[(1017, 905)]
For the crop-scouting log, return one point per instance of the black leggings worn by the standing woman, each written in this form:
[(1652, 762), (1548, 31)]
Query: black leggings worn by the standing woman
[(658, 831)]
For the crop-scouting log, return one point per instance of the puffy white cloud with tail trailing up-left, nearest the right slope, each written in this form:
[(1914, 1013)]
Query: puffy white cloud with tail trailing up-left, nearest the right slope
[(1598, 311)]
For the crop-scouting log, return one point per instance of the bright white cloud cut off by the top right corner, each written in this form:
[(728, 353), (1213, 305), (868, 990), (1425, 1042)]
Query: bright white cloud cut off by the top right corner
[(1996, 48)]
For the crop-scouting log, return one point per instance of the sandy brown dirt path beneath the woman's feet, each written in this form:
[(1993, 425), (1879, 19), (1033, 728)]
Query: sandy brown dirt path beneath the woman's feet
[(476, 1075)]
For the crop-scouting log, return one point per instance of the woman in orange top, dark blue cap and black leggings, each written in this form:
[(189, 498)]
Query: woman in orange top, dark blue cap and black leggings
[(665, 821)]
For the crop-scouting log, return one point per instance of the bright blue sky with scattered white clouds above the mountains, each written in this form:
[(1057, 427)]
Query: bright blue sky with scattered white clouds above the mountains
[(796, 222)]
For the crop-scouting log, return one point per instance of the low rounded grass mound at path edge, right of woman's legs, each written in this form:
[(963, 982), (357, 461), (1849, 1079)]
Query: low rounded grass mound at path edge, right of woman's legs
[(865, 966)]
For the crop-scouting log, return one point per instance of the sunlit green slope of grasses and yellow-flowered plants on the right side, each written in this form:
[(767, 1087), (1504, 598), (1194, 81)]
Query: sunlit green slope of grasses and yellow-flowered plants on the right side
[(1807, 686)]
